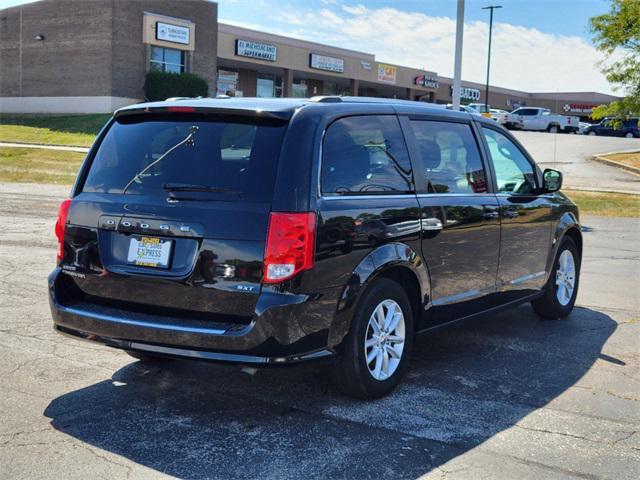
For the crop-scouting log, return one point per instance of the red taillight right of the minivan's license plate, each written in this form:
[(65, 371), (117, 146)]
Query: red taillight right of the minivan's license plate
[(290, 245)]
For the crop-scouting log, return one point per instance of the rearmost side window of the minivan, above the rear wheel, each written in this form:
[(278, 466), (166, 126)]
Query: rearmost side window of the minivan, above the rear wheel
[(365, 154)]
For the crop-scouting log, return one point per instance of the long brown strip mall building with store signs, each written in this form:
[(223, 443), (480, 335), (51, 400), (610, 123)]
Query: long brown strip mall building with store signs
[(72, 56)]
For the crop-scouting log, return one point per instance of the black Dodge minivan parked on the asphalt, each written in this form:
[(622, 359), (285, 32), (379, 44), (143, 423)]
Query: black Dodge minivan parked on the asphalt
[(276, 231)]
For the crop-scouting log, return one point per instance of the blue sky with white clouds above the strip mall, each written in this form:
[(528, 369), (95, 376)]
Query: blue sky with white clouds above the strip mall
[(539, 45)]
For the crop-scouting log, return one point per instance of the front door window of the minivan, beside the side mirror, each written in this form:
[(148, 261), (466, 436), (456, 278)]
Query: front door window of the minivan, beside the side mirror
[(514, 173)]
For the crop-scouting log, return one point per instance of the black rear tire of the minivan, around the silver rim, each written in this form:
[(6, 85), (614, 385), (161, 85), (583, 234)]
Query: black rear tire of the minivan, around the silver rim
[(351, 373)]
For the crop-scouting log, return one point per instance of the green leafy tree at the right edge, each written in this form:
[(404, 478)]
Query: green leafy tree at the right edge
[(619, 31)]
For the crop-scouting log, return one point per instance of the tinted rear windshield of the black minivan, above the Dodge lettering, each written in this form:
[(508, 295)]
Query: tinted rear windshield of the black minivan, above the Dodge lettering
[(234, 158)]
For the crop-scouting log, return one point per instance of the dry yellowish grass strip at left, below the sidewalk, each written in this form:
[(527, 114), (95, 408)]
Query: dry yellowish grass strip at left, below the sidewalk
[(37, 165)]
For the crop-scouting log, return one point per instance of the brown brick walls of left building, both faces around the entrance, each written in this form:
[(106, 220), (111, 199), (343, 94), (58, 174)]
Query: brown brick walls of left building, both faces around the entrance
[(92, 47)]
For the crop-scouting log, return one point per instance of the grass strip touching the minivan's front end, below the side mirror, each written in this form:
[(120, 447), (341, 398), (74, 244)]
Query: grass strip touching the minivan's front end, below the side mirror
[(606, 204)]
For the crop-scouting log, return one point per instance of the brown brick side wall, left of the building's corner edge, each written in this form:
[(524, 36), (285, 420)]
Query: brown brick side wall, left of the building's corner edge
[(73, 59)]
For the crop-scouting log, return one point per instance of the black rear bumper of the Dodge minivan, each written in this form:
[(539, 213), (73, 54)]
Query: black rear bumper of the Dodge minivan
[(280, 334)]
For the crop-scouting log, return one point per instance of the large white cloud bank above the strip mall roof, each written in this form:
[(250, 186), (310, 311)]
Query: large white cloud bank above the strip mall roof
[(522, 58)]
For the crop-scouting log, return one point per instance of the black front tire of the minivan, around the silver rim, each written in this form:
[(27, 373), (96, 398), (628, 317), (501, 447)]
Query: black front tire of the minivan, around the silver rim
[(548, 306)]
